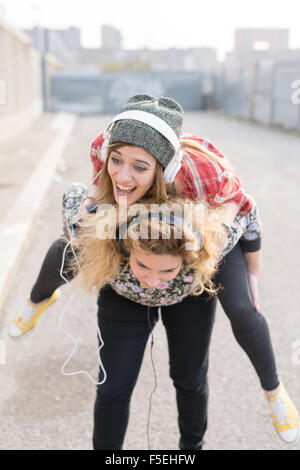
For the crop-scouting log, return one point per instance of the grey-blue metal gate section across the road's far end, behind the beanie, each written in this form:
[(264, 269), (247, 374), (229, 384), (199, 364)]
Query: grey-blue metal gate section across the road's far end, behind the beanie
[(88, 92)]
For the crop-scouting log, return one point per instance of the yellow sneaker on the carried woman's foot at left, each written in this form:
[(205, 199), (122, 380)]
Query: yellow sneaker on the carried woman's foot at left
[(27, 318)]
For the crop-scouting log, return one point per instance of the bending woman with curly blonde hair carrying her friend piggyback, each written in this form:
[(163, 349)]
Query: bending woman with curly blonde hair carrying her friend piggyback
[(167, 257)]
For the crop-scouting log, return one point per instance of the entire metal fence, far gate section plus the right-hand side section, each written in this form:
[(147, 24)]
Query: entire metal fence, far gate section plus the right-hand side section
[(263, 93)]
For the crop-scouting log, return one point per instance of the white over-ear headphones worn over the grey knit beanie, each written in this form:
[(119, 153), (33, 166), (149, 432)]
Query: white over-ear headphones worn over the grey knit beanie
[(161, 126)]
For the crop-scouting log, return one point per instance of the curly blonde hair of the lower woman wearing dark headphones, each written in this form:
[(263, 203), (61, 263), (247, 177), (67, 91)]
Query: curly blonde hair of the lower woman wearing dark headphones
[(99, 258)]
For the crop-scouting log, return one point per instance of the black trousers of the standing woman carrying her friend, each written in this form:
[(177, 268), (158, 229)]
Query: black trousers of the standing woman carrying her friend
[(125, 328)]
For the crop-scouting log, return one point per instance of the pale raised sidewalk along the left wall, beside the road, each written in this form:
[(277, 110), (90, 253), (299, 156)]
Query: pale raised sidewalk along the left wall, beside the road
[(28, 165)]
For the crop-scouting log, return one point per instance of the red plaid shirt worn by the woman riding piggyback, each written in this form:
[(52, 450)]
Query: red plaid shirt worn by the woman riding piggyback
[(200, 177)]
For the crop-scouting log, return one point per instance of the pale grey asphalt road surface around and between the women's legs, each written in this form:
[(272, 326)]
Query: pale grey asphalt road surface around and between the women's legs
[(41, 409)]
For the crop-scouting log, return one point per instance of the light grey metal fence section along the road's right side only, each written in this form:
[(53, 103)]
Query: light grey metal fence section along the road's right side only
[(264, 94)]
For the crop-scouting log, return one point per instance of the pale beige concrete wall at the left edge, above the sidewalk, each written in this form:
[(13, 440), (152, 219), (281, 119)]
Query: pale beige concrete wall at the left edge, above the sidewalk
[(21, 82)]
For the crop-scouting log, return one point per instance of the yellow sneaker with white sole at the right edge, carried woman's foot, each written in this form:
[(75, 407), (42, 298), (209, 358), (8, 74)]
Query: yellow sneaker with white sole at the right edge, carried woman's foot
[(285, 417)]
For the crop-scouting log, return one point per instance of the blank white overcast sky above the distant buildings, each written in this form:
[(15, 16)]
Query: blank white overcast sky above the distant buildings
[(159, 23)]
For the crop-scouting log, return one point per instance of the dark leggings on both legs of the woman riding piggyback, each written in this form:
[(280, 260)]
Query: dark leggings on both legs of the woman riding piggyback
[(249, 326)]
